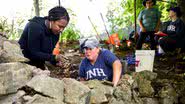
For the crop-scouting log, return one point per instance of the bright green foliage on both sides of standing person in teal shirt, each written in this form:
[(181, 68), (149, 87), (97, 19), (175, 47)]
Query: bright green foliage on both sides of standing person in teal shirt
[(121, 14)]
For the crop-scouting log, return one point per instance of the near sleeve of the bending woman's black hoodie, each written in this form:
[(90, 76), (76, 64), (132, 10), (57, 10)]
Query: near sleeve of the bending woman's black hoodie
[(35, 33)]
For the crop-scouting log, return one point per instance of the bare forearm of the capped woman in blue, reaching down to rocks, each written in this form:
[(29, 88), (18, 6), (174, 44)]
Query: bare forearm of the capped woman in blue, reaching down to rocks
[(117, 69)]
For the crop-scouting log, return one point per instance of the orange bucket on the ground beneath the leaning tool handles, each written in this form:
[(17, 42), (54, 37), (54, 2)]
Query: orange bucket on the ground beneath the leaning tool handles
[(114, 39)]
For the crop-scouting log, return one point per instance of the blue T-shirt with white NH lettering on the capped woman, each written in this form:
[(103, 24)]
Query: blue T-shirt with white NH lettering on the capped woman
[(101, 70)]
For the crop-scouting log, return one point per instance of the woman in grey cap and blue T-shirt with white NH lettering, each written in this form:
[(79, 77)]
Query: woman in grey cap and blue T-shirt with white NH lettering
[(99, 63)]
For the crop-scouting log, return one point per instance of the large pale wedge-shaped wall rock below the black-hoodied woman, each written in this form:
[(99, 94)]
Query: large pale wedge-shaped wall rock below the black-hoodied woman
[(47, 86)]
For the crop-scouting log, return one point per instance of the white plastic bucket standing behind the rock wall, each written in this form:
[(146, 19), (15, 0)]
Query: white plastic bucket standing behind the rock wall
[(144, 60)]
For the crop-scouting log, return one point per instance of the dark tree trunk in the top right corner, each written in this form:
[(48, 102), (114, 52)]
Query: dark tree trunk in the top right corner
[(181, 4)]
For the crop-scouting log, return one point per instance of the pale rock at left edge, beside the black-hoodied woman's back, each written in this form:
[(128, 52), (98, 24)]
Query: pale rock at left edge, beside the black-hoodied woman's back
[(11, 52)]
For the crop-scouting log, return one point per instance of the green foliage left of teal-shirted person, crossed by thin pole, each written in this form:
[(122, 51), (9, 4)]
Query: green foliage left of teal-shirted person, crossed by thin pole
[(122, 14)]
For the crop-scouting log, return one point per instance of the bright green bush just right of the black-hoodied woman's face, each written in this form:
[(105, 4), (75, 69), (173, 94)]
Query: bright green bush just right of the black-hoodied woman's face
[(70, 33)]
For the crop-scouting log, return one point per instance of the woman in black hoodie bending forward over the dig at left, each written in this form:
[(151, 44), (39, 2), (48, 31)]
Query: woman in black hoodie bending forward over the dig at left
[(40, 36)]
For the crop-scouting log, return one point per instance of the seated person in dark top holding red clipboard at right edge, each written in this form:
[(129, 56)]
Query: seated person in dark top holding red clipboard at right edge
[(175, 31)]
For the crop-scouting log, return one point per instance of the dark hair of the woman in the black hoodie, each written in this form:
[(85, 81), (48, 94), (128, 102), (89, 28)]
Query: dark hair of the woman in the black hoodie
[(58, 13)]
